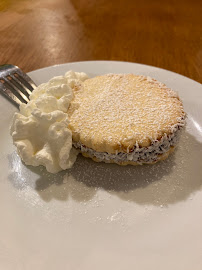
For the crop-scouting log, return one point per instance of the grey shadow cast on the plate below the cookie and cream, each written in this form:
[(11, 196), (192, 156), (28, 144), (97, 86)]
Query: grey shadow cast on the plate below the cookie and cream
[(163, 183)]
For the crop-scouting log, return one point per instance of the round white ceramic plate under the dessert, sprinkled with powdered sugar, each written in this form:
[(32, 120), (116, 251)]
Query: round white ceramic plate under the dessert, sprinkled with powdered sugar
[(102, 216)]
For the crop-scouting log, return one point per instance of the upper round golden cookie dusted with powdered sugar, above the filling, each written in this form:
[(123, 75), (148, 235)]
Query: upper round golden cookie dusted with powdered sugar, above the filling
[(114, 112)]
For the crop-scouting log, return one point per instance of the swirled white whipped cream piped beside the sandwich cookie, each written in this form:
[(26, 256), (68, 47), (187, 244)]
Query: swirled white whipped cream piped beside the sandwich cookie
[(40, 130)]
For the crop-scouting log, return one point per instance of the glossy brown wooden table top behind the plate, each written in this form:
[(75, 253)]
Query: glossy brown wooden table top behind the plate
[(39, 33)]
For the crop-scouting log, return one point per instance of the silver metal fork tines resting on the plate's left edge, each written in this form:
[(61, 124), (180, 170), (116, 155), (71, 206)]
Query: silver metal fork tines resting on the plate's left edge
[(15, 84)]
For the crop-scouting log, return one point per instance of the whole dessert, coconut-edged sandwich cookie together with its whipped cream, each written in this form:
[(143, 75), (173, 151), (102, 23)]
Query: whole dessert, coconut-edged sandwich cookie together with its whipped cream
[(114, 118)]
